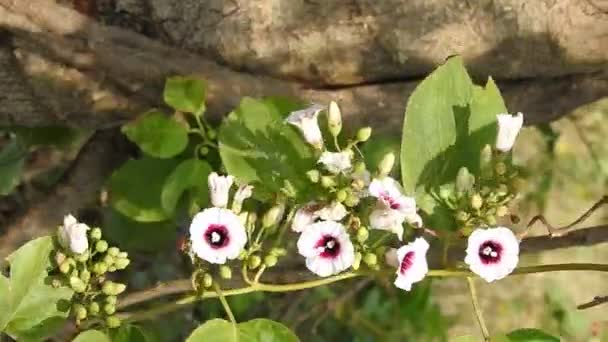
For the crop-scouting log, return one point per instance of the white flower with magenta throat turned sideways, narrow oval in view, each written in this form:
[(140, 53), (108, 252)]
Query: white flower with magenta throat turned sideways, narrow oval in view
[(412, 263)]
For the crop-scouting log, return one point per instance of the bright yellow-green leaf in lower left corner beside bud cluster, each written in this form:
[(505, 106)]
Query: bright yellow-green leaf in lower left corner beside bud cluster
[(31, 308)]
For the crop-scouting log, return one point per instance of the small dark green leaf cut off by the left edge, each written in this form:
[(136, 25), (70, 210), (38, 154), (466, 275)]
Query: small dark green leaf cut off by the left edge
[(12, 158)]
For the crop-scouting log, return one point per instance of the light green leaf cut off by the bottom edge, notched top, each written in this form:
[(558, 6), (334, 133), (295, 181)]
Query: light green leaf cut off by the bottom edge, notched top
[(257, 330)]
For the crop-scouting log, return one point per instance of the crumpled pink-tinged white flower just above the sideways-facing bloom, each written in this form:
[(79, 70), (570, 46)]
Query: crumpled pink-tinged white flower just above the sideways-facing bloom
[(392, 207)]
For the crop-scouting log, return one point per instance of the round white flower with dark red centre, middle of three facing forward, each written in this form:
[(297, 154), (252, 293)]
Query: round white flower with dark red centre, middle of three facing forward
[(327, 248)]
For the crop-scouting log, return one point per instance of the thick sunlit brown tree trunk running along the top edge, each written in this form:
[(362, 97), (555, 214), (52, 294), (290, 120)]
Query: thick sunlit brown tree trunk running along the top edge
[(349, 42)]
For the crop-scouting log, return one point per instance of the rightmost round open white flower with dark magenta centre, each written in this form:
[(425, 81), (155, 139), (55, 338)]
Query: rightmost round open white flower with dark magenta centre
[(492, 253)]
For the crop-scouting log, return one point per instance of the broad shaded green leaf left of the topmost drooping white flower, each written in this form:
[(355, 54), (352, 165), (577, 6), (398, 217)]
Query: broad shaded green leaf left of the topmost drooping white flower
[(258, 147)]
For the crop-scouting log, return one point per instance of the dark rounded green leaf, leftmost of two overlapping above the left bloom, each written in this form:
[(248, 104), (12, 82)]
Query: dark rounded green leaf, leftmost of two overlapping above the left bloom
[(135, 188)]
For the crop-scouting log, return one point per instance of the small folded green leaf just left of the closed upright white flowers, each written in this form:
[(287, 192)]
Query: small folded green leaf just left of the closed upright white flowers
[(192, 175)]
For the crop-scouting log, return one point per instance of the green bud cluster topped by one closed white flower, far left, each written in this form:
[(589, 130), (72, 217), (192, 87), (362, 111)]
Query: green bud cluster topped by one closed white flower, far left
[(84, 260)]
